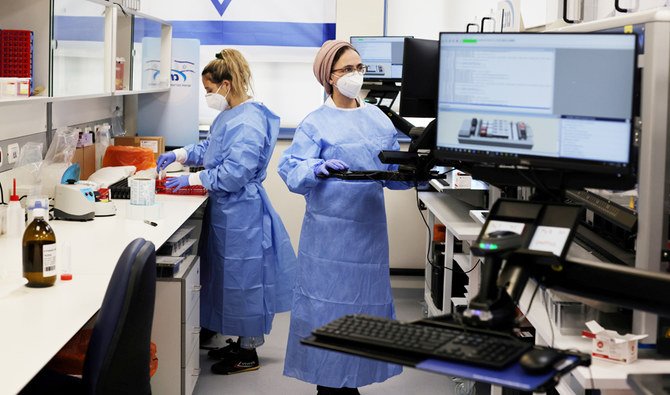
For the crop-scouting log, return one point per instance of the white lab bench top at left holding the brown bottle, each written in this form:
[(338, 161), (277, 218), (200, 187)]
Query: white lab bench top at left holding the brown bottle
[(37, 322)]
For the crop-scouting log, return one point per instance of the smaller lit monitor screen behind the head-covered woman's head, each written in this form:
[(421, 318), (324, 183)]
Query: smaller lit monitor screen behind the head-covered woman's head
[(381, 55)]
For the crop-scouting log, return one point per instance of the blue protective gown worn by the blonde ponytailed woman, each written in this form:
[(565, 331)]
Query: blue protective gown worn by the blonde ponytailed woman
[(248, 263)]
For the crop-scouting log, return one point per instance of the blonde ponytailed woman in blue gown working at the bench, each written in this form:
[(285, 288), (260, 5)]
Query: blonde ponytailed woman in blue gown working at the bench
[(248, 263)]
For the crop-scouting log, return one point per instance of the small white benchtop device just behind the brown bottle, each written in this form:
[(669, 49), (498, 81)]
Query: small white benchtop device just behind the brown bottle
[(74, 202)]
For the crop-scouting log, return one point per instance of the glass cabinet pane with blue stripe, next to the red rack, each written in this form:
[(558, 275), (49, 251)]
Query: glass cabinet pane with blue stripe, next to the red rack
[(78, 48)]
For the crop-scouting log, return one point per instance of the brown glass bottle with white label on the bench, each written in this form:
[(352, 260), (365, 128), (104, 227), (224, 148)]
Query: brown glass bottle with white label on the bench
[(39, 252)]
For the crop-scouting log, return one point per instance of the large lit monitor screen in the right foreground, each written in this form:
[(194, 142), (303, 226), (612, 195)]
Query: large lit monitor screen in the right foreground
[(557, 101)]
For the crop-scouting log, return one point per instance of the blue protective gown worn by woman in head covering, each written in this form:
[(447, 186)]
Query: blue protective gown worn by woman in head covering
[(343, 258)]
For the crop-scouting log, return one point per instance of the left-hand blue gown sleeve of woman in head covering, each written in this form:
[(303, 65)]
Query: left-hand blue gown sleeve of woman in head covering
[(296, 166)]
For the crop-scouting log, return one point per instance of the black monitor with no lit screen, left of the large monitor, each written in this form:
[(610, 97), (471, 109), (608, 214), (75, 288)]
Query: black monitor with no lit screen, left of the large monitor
[(419, 78)]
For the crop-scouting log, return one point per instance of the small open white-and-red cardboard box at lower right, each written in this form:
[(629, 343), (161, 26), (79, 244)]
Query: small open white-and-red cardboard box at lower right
[(611, 346)]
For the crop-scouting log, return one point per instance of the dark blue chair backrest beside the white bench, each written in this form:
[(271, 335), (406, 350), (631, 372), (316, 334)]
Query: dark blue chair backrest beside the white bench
[(117, 360)]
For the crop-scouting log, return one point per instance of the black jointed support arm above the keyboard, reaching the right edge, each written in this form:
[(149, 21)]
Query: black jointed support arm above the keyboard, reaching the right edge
[(504, 279)]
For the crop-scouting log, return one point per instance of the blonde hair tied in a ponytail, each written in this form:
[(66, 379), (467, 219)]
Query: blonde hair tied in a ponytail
[(232, 66)]
